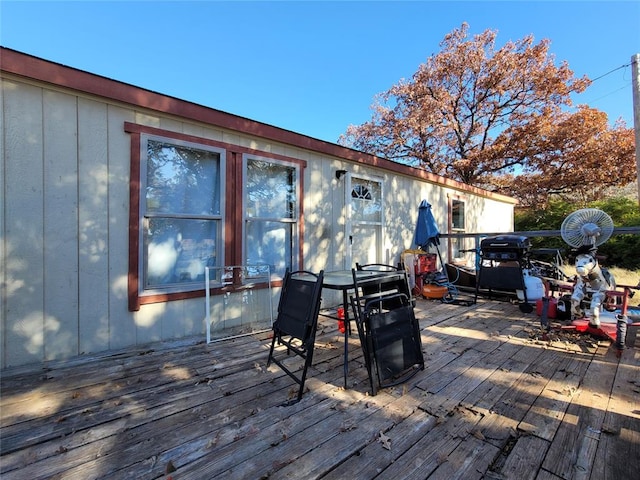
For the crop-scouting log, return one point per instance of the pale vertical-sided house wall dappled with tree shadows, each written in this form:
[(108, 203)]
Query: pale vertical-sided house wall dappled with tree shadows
[(65, 222)]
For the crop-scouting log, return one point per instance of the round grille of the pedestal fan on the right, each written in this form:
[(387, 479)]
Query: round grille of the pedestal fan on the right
[(589, 226)]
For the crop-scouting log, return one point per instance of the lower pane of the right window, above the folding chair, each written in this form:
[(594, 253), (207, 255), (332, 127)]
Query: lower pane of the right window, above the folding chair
[(269, 243)]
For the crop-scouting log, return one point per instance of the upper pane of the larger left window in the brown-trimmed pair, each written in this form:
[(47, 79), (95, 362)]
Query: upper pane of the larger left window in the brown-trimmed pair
[(182, 180)]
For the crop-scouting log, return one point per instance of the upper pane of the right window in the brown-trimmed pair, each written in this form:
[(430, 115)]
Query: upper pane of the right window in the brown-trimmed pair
[(271, 190)]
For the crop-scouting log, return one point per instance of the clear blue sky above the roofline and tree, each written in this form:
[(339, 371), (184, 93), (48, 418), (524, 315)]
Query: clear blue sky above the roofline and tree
[(313, 67)]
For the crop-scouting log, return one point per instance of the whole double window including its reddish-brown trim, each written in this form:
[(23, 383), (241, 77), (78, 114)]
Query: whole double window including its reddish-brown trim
[(188, 212)]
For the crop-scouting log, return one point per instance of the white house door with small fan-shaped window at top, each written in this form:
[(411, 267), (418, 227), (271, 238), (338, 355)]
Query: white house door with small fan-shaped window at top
[(364, 219)]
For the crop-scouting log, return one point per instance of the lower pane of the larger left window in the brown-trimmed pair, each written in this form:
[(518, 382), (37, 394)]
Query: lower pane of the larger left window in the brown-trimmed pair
[(177, 250)]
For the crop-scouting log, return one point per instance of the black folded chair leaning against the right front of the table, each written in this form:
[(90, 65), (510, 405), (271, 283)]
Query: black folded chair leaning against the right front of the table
[(389, 335)]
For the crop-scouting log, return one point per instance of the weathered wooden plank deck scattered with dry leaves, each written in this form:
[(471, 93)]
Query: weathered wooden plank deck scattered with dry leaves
[(493, 402)]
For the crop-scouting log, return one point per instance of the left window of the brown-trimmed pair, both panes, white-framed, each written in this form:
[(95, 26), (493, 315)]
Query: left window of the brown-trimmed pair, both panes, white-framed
[(181, 213)]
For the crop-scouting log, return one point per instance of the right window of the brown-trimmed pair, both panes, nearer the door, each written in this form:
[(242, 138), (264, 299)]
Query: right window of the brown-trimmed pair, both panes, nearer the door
[(271, 213)]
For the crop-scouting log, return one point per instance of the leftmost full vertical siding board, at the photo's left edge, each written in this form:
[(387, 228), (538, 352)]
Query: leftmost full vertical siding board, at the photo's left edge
[(24, 225)]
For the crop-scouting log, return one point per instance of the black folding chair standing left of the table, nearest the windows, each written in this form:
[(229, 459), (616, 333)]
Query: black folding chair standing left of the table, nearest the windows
[(296, 323)]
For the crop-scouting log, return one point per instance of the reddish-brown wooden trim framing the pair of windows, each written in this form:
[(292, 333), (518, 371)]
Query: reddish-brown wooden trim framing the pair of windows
[(232, 219)]
